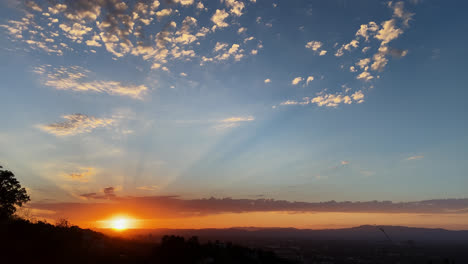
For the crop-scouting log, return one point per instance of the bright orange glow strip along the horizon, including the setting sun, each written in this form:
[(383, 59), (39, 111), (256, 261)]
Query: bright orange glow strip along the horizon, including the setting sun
[(123, 222)]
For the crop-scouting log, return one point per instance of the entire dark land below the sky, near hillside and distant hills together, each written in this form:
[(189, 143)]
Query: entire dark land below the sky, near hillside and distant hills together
[(24, 242)]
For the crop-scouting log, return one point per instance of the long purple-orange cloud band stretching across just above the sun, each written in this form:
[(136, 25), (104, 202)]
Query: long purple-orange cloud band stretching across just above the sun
[(174, 206)]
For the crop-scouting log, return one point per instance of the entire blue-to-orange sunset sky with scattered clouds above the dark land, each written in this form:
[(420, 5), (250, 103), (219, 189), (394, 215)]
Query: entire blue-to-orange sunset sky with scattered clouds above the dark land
[(251, 113)]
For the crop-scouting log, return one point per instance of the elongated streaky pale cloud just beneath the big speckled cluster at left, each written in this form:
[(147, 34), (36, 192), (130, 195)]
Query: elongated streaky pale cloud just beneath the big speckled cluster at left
[(75, 79)]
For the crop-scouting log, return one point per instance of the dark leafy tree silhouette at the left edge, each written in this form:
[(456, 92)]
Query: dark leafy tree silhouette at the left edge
[(11, 194)]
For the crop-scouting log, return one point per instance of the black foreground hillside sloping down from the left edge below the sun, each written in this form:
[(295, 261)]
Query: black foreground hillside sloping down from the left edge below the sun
[(24, 242)]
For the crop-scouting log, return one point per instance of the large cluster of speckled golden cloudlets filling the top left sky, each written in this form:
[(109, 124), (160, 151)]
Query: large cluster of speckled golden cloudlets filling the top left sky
[(120, 27)]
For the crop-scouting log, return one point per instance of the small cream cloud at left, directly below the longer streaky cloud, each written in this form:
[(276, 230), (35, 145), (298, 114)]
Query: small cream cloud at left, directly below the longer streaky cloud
[(76, 124)]
